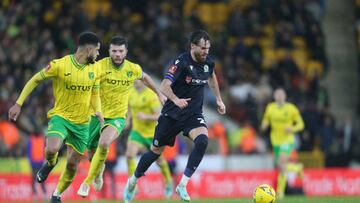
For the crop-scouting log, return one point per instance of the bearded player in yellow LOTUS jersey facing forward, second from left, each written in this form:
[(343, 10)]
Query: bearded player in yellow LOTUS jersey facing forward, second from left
[(118, 76)]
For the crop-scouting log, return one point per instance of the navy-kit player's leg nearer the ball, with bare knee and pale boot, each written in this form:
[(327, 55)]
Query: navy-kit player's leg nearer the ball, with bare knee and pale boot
[(200, 137)]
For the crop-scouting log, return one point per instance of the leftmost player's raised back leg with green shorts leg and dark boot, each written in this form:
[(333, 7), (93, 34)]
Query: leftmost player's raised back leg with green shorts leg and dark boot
[(55, 135)]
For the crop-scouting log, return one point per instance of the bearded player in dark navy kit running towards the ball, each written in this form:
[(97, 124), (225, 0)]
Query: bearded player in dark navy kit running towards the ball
[(183, 85)]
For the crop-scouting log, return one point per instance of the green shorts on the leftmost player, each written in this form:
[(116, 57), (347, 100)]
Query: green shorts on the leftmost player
[(75, 135)]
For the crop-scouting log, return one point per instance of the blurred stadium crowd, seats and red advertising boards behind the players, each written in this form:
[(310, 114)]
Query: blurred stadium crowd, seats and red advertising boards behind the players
[(310, 47)]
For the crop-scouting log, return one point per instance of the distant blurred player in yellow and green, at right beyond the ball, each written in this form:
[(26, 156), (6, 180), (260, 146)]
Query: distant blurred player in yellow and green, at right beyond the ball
[(285, 120)]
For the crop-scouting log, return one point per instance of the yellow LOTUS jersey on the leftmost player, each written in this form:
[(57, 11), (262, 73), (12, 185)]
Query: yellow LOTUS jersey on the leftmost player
[(73, 85)]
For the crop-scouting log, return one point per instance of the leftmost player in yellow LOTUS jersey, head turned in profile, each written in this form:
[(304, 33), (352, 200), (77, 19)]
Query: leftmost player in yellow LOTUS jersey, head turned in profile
[(75, 81)]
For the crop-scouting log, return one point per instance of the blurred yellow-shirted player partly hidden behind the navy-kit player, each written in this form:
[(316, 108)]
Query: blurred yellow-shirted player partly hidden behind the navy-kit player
[(144, 110)]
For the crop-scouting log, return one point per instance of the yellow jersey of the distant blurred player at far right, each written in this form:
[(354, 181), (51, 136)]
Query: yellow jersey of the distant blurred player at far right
[(281, 118)]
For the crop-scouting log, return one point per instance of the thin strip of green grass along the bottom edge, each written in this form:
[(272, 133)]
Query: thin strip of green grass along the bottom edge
[(291, 199)]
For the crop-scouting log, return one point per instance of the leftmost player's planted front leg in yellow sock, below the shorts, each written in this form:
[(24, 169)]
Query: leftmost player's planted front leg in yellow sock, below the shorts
[(67, 176)]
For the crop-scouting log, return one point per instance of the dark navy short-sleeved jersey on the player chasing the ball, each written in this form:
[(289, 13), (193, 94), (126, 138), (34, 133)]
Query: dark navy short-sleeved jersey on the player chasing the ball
[(188, 80)]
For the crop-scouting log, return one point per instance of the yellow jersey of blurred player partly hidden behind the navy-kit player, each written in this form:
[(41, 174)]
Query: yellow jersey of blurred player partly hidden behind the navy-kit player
[(146, 102)]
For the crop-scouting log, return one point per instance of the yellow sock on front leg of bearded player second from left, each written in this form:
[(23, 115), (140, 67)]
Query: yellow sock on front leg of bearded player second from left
[(97, 162)]
